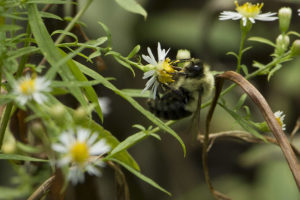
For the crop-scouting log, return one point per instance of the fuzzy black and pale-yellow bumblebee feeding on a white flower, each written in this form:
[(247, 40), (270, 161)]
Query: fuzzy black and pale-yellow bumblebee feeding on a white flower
[(182, 97)]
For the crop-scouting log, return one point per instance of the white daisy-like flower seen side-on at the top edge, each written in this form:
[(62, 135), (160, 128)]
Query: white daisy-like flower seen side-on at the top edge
[(248, 11)]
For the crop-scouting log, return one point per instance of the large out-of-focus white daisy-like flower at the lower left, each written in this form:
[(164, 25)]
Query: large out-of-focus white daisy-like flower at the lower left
[(81, 150)]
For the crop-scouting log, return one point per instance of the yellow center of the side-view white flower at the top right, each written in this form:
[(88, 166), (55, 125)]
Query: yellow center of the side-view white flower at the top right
[(249, 9)]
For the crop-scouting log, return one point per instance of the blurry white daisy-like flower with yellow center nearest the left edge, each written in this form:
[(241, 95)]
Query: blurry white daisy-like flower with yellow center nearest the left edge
[(31, 88)]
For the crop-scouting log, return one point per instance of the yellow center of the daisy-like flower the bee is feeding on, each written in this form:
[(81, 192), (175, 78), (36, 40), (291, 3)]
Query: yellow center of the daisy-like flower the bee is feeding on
[(165, 73)]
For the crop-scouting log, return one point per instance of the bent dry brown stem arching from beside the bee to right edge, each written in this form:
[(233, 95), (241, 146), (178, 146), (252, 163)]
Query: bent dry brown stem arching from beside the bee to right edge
[(268, 115)]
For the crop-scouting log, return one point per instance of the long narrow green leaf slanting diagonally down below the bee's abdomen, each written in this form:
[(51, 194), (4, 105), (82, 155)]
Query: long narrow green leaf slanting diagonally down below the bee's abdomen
[(135, 104)]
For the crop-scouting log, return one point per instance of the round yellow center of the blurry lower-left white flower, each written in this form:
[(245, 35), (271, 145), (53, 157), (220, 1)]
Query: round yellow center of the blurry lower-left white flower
[(80, 152)]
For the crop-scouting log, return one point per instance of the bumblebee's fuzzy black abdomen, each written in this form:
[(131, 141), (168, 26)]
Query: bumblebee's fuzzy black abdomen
[(170, 106)]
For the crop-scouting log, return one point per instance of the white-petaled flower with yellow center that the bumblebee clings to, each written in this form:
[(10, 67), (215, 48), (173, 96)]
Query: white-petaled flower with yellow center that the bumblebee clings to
[(160, 70)]
